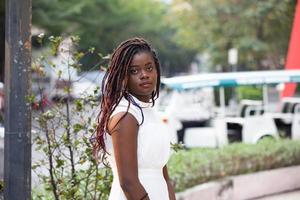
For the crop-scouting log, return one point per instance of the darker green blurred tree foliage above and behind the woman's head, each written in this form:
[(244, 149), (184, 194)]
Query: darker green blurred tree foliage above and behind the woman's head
[(105, 23)]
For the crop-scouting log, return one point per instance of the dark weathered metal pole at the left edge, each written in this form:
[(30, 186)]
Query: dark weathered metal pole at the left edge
[(17, 146)]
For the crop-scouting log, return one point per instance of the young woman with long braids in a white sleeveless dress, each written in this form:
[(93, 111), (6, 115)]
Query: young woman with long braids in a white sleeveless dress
[(129, 131)]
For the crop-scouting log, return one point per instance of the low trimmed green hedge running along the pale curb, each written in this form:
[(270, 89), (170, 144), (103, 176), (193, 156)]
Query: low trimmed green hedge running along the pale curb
[(196, 166)]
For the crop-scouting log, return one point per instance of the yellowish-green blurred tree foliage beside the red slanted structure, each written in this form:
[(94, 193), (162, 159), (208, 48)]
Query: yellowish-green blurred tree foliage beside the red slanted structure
[(260, 30)]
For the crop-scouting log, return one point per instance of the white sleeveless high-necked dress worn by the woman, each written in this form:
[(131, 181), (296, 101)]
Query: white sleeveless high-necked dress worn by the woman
[(153, 150)]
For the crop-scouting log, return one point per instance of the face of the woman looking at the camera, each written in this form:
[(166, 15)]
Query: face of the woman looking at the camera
[(142, 77)]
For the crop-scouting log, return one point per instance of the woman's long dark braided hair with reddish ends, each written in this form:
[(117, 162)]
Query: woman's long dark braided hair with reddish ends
[(114, 86)]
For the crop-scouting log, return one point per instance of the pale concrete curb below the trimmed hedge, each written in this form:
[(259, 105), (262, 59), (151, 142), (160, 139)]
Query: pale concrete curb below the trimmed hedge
[(246, 186)]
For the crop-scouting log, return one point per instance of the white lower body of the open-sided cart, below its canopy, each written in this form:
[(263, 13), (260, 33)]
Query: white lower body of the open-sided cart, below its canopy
[(246, 127)]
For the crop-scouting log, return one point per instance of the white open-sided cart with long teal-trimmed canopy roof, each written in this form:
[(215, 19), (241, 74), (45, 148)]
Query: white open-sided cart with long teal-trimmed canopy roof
[(253, 122)]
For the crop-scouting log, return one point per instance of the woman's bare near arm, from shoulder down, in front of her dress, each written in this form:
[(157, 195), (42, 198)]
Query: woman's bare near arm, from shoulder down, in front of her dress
[(124, 136)]
